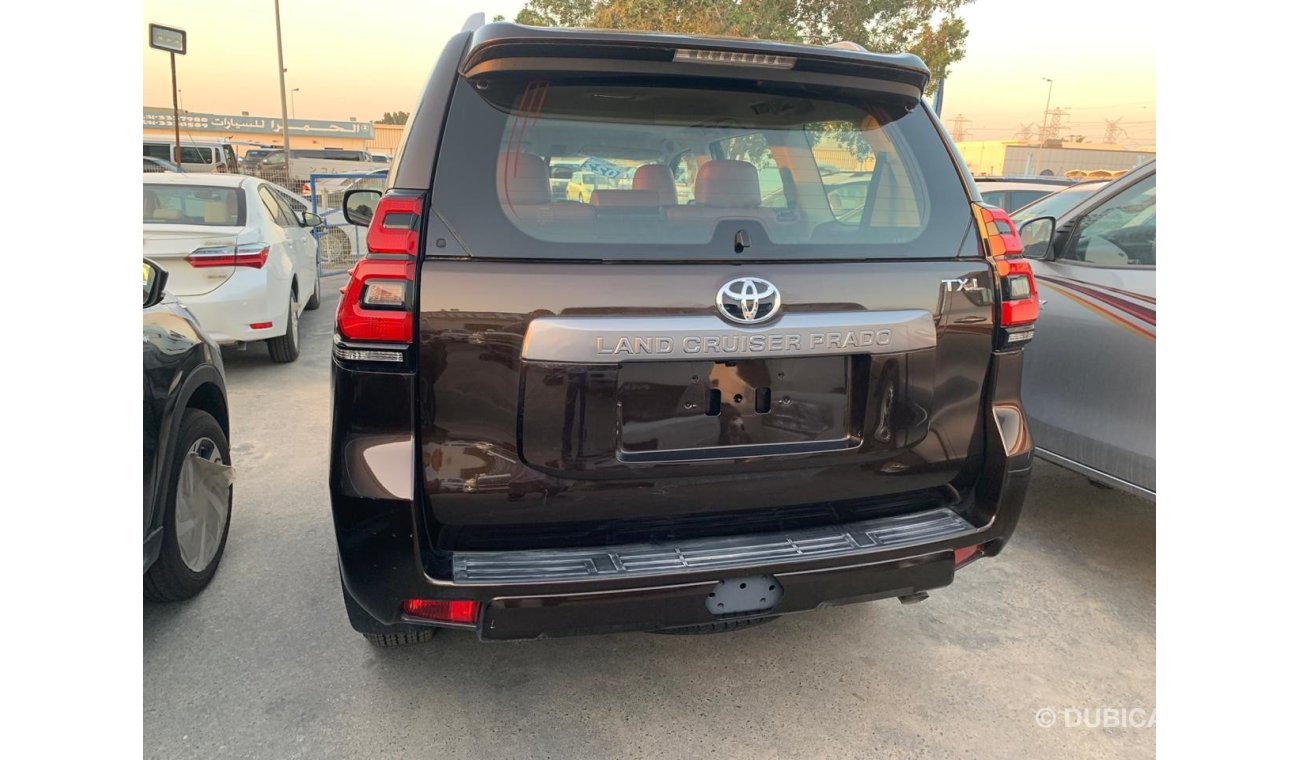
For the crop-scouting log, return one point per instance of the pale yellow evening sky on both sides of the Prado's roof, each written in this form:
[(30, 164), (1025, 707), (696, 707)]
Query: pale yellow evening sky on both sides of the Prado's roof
[(349, 59)]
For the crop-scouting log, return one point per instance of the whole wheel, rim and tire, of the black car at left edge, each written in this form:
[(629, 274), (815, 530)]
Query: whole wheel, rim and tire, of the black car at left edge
[(194, 528)]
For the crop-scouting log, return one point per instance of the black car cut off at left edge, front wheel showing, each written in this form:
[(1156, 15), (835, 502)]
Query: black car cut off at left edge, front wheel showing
[(188, 471)]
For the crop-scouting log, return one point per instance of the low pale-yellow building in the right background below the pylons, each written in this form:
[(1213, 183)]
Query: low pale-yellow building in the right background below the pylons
[(1025, 159)]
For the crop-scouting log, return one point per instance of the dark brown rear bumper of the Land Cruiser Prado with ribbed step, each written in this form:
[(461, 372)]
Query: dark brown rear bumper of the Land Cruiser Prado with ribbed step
[(384, 558)]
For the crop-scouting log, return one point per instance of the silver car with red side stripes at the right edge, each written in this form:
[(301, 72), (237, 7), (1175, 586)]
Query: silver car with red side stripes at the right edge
[(1090, 377)]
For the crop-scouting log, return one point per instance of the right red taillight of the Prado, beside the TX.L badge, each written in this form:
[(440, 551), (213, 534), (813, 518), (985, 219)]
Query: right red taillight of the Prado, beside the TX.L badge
[(1017, 294)]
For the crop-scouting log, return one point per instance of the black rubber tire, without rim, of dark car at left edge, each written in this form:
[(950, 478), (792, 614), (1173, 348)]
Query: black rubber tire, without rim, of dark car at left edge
[(171, 579)]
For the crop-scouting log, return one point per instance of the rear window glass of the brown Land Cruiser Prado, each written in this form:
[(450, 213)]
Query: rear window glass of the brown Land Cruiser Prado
[(671, 168)]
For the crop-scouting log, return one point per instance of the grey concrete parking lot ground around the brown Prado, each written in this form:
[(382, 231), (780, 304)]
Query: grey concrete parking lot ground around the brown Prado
[(265, 665)]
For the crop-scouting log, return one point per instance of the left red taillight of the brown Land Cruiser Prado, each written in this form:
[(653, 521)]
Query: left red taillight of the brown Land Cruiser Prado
[(379, 297)]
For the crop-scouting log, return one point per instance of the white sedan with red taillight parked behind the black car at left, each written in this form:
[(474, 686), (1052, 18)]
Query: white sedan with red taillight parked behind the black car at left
[(240, 254)]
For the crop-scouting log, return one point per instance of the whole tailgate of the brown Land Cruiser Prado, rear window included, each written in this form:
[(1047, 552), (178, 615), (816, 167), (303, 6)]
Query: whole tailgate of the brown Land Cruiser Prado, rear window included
[(578, 364)]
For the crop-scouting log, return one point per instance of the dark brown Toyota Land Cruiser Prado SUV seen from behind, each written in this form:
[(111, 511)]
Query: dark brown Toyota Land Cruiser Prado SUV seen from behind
[(704, 397)]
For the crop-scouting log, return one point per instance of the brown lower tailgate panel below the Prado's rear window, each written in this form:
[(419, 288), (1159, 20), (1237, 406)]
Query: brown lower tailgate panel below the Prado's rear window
[(561, 437)]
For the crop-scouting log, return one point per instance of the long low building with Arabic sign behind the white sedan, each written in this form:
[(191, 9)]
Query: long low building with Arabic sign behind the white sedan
[(248, 132)]
